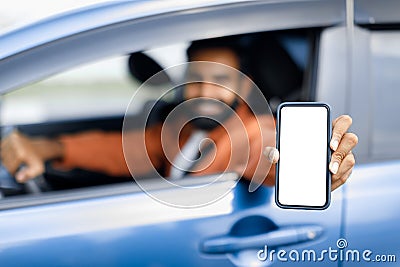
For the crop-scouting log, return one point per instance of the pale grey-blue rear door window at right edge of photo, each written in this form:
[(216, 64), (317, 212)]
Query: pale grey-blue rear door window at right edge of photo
[(385, 83)]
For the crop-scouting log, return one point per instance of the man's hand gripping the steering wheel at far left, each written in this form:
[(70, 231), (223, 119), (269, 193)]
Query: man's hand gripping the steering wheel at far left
[(18, 150)]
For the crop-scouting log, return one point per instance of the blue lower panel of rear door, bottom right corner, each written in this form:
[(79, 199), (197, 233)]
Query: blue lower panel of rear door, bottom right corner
[(372, 210)]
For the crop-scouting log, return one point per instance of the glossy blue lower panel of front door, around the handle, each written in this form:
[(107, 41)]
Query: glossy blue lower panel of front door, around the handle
[(132, 228)]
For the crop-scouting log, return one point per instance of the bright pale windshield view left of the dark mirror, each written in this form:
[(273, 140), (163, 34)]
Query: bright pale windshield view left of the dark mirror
[(95, 90)]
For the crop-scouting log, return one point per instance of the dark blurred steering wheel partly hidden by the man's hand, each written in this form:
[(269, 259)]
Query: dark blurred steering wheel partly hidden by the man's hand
[(8, 183)]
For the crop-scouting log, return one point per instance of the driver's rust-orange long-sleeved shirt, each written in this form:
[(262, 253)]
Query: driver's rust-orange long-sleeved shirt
[(237, 146)]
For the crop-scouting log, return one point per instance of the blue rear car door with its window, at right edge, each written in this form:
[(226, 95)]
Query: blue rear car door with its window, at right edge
[(373, 196)]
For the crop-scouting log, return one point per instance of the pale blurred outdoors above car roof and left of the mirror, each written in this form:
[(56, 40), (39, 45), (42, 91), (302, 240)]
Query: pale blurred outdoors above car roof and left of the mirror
[(72, 93)]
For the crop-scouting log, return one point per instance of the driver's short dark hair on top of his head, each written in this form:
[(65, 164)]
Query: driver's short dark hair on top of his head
[(230, 42)]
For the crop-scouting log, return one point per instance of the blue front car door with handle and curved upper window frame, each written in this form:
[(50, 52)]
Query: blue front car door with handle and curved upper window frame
[(120, 224)]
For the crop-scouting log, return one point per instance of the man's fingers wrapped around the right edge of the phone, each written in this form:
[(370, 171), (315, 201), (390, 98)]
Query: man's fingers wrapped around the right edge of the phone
[(342, 143)]
